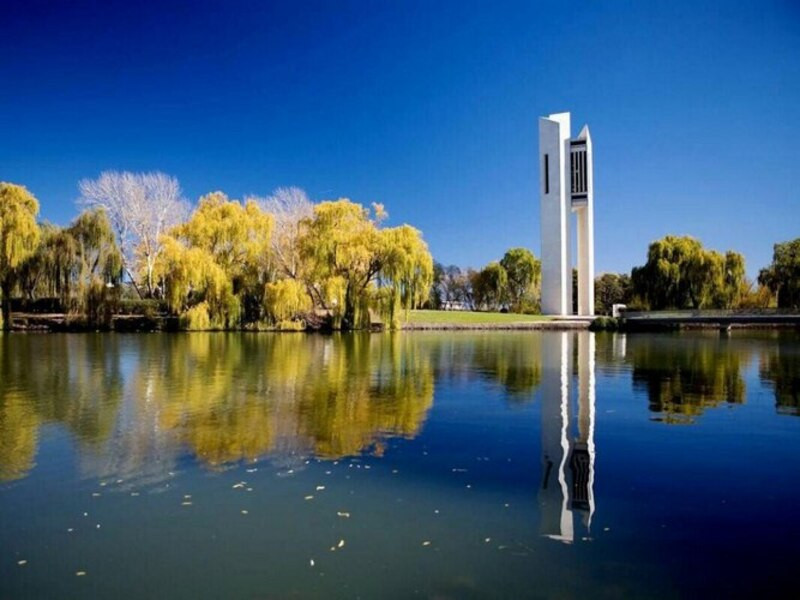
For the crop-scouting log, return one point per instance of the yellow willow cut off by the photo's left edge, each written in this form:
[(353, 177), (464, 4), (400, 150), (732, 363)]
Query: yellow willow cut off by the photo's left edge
[(19, 235)]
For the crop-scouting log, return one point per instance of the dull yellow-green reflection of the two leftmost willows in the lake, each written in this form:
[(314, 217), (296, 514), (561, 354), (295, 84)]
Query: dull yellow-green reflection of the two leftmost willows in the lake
[(72, 380)]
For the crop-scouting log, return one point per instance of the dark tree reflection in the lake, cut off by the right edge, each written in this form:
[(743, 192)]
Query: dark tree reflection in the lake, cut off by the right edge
[(780, 369)]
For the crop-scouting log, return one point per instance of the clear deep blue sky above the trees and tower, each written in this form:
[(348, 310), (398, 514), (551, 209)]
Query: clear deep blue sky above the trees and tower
[(429, 107)]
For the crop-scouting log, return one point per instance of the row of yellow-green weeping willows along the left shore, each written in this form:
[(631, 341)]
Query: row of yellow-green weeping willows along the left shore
[(230, 264)]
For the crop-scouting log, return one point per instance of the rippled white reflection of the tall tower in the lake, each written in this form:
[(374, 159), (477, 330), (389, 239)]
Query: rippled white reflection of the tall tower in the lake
[(566, 495)]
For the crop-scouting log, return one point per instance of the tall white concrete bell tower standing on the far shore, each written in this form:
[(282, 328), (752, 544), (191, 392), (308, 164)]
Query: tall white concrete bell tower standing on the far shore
[(566, 187)]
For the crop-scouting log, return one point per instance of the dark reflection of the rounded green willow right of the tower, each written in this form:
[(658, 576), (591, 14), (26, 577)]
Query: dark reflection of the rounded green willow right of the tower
[(685, 376)]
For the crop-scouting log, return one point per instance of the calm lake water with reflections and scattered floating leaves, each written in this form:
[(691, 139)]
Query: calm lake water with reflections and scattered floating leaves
[(446, 465)]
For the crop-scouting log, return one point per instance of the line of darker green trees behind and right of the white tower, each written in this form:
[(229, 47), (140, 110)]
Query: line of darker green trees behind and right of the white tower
[(679, 273)]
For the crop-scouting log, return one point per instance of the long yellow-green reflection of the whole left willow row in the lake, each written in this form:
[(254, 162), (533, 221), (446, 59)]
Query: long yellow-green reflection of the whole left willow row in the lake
[(226, 397)]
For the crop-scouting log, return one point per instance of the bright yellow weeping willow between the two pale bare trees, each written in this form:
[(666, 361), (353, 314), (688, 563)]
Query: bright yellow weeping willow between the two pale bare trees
[(214, 267)]
